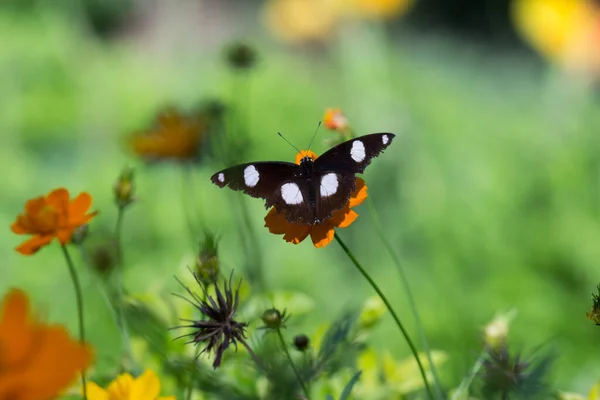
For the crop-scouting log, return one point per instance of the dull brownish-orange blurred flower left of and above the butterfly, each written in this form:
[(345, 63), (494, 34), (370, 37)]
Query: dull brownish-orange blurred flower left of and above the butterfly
[(175, 136)]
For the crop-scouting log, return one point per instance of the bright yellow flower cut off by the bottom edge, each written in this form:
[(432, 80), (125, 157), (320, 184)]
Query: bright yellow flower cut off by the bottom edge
[(126, 387)]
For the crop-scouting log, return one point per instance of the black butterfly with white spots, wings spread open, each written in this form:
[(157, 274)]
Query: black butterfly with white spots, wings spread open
[(310, 192)]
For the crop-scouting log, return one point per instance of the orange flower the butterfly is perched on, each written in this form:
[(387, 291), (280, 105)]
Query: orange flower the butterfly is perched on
[(321, 234)]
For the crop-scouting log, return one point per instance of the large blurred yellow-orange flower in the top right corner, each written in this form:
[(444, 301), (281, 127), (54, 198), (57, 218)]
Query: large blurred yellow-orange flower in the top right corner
[(564, 31)]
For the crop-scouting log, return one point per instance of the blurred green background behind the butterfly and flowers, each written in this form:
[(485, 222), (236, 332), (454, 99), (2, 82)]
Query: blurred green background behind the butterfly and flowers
[(490, 194)]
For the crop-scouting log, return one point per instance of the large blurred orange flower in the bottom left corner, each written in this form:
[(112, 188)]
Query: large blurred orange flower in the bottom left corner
[(37, 361)]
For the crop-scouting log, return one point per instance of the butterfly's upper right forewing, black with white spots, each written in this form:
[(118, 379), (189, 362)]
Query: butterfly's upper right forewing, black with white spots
[(354, 155)]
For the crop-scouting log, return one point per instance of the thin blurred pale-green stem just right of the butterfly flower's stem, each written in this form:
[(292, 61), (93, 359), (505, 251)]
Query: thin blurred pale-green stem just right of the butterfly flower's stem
[(411, 300)]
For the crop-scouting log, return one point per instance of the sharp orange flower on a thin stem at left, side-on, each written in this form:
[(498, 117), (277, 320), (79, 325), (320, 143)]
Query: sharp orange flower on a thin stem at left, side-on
[(52, 216)]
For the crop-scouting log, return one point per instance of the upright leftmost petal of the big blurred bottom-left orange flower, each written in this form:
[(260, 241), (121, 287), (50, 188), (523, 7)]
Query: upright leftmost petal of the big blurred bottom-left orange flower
[(16, 333)]
